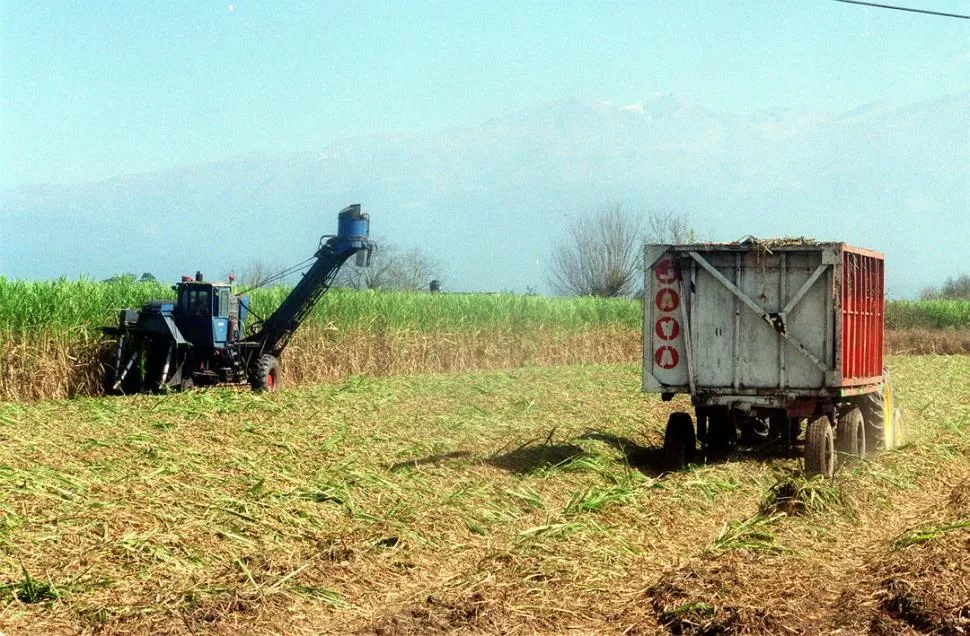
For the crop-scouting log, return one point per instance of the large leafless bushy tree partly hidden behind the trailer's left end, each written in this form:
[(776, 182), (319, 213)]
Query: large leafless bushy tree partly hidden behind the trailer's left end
[(603, 253)]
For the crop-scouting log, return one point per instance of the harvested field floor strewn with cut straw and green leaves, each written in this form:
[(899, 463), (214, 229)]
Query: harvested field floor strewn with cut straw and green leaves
[(504, 502)]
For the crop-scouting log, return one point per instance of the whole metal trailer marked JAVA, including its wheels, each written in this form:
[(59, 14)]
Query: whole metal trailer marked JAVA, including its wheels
[(766, 335)]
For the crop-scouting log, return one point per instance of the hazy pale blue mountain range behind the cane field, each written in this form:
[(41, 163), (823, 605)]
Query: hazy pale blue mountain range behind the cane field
[(489, 202)]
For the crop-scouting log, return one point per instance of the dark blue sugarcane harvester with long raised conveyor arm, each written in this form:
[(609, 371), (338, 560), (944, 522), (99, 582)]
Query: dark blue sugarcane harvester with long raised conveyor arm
[(199, 338)]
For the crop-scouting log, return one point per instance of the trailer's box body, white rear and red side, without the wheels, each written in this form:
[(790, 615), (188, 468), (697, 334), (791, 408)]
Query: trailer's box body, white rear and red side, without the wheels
[(749, 319)]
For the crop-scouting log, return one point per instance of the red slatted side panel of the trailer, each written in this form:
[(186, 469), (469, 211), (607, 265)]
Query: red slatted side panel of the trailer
[(863, 304)]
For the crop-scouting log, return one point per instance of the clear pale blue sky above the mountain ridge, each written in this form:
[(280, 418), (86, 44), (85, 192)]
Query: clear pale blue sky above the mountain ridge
[(91, 90)]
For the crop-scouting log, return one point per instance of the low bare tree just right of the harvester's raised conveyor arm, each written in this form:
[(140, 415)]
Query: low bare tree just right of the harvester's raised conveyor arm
[(391, 268)]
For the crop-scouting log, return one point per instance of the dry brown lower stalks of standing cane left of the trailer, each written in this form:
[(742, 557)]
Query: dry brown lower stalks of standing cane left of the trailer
[(47, 366)]
